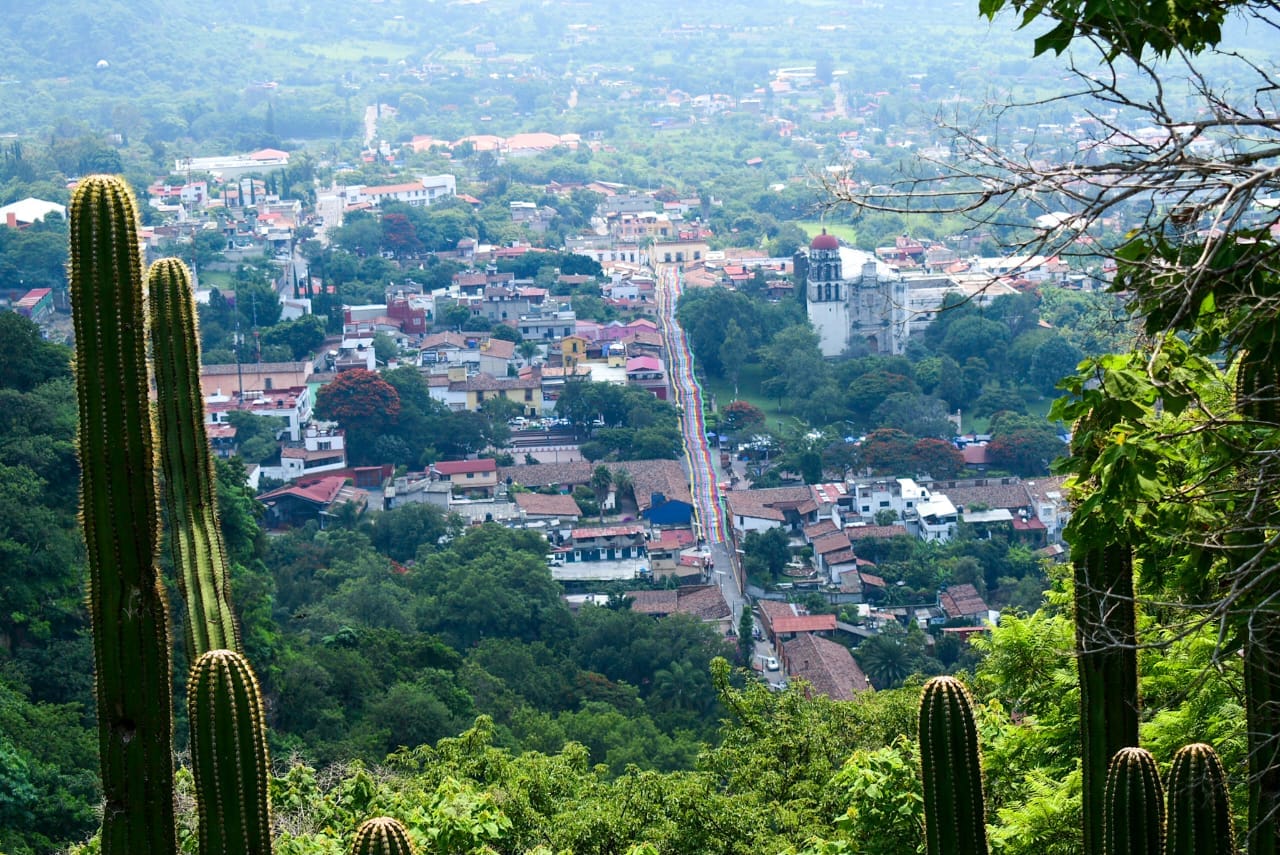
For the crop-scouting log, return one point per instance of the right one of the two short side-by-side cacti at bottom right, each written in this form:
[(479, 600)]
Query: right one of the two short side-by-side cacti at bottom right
[(1200, 810)]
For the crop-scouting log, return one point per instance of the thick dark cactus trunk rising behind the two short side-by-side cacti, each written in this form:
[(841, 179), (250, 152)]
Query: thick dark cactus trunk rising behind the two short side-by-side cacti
[(1108, 666)]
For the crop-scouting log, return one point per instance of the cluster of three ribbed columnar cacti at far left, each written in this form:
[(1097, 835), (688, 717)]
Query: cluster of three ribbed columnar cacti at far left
[(122, 525)]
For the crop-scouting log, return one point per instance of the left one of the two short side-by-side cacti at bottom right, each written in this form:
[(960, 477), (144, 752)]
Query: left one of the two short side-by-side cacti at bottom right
[(1135, 816)]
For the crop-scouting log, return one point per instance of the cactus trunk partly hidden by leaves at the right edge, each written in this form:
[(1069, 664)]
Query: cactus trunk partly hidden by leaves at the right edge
[(1259, 401)]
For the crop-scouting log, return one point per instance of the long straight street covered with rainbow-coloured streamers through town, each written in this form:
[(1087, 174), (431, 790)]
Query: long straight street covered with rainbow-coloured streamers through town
[(711, 520)]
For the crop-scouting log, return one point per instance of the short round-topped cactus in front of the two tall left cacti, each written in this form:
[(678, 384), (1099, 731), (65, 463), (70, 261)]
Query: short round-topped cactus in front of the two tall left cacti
[(228, 756)]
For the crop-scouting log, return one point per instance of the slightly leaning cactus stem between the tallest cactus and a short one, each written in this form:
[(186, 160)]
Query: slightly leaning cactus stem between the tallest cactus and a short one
[(190, 496)]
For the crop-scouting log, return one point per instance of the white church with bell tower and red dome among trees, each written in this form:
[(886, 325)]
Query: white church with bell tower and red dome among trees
[(854, 301)]
